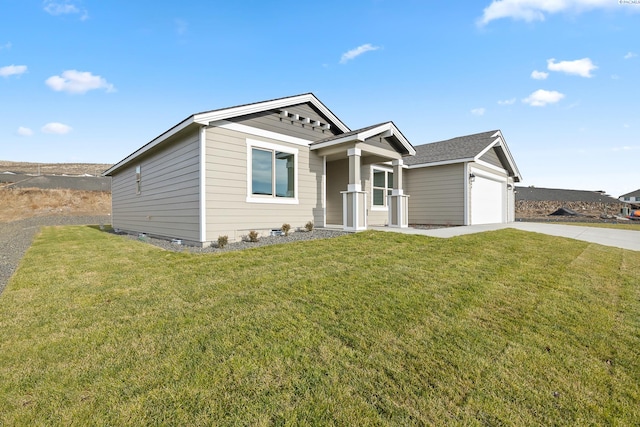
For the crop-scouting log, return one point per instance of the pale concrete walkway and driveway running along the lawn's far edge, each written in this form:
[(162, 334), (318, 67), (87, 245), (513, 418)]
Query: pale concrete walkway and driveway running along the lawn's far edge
[(625, 239)]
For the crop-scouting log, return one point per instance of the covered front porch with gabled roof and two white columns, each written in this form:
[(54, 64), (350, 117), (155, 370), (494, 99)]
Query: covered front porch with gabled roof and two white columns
[(364, 177)]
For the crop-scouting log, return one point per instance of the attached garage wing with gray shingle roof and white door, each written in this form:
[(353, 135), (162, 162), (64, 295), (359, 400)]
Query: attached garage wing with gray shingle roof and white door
[(462, 181)]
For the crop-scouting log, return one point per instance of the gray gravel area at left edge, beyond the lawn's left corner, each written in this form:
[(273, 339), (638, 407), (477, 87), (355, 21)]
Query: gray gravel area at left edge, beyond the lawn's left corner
[(17, 236)]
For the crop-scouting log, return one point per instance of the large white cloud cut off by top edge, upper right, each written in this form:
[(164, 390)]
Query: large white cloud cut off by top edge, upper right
[(536, 10)]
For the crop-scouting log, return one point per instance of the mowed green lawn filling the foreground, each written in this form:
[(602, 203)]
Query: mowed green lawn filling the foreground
[(498, 328)]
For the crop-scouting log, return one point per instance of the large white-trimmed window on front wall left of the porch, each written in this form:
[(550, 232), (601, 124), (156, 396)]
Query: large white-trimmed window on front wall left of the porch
[(272, 173)]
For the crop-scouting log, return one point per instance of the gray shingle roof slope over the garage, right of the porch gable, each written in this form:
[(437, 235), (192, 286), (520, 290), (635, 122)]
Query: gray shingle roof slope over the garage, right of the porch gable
[(463, 147)]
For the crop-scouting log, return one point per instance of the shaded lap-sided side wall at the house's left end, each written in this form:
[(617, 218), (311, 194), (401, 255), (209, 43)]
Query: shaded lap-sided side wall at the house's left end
[(168, 204)]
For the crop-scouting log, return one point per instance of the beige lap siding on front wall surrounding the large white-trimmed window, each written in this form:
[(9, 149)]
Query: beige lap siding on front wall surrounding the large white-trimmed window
[(229, 213)]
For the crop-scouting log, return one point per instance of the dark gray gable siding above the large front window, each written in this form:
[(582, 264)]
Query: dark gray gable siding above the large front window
[(273, 122)]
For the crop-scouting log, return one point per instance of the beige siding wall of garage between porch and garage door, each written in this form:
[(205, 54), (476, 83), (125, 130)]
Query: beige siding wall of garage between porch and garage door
[(436, 194)]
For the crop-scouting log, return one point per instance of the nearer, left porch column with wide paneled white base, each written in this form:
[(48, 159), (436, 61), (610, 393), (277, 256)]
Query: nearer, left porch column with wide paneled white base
[(354, 200)]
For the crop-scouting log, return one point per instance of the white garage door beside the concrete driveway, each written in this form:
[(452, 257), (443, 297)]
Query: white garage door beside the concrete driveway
[(487, 204)]
